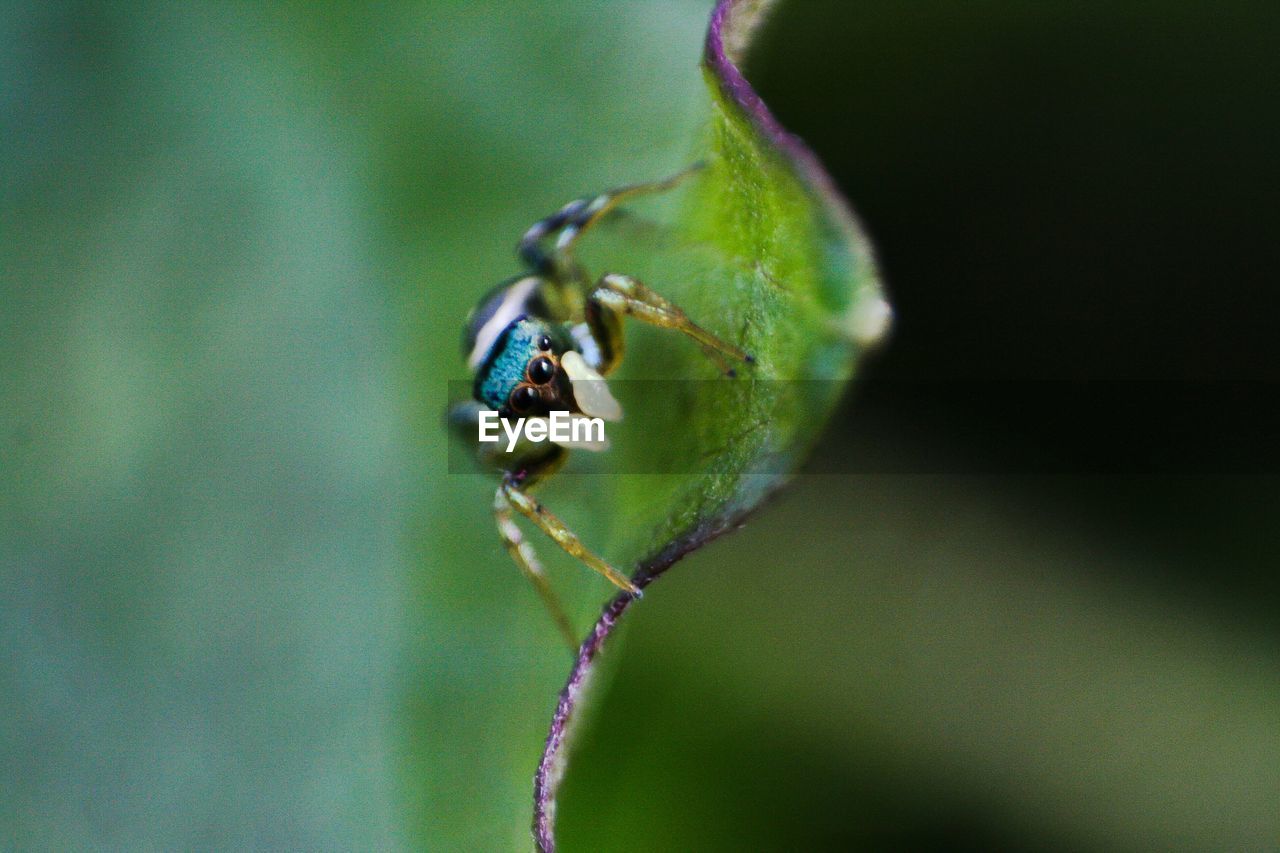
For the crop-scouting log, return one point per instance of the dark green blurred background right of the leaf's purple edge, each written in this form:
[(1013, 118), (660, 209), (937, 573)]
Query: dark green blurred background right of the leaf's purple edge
[(1076, 212)]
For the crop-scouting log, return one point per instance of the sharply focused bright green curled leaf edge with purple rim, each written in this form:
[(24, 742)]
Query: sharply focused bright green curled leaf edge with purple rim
[(776, 258)]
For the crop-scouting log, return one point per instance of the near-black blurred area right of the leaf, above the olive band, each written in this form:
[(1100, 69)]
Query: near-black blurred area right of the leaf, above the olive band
[(1076, 209)]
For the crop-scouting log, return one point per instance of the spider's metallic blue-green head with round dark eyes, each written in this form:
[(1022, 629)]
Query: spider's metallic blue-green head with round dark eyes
[(522, 373)]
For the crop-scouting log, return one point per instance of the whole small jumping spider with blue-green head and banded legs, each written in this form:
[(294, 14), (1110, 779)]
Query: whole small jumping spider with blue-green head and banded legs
[(543, 343)]
